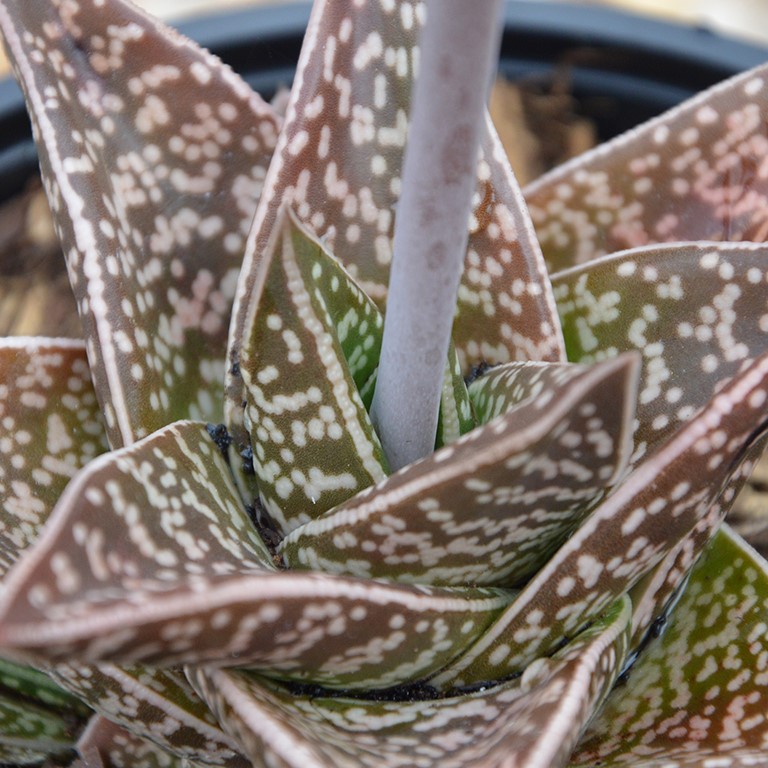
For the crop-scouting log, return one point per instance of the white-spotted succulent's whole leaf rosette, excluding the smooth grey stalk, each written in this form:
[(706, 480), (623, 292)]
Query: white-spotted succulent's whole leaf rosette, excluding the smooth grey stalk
[(552, 586)]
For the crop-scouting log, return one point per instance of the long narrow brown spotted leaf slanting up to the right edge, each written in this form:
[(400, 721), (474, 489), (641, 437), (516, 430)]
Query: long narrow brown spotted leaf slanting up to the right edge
[(657, 506)]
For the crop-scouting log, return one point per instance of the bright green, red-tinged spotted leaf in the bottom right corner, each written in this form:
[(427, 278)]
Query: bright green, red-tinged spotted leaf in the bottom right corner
[(697, 695)]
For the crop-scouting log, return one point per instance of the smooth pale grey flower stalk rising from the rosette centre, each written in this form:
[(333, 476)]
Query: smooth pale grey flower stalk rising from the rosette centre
[(458, 50)]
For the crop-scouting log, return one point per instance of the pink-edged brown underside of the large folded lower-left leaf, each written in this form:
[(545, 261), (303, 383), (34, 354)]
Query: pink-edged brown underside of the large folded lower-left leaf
[(282, 624)]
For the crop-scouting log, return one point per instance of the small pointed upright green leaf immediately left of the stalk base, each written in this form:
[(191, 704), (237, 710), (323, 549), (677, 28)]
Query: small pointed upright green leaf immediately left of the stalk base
[(313, 443)]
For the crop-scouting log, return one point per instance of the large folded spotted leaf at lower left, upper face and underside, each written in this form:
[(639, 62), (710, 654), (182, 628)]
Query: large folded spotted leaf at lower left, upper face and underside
[(149, 559)]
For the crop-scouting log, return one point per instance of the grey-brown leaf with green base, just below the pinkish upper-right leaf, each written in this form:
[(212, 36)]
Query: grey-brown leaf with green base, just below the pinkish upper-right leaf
[(697, 312)]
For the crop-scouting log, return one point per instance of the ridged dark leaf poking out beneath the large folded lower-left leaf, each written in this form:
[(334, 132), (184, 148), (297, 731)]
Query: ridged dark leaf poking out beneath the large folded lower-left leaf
[(160, 707)]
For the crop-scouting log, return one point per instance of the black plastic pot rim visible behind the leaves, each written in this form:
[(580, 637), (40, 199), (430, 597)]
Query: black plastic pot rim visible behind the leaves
[(621, 68)]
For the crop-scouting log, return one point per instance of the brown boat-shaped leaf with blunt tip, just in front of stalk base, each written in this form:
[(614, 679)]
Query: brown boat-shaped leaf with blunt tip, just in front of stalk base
[(492, 507)]
